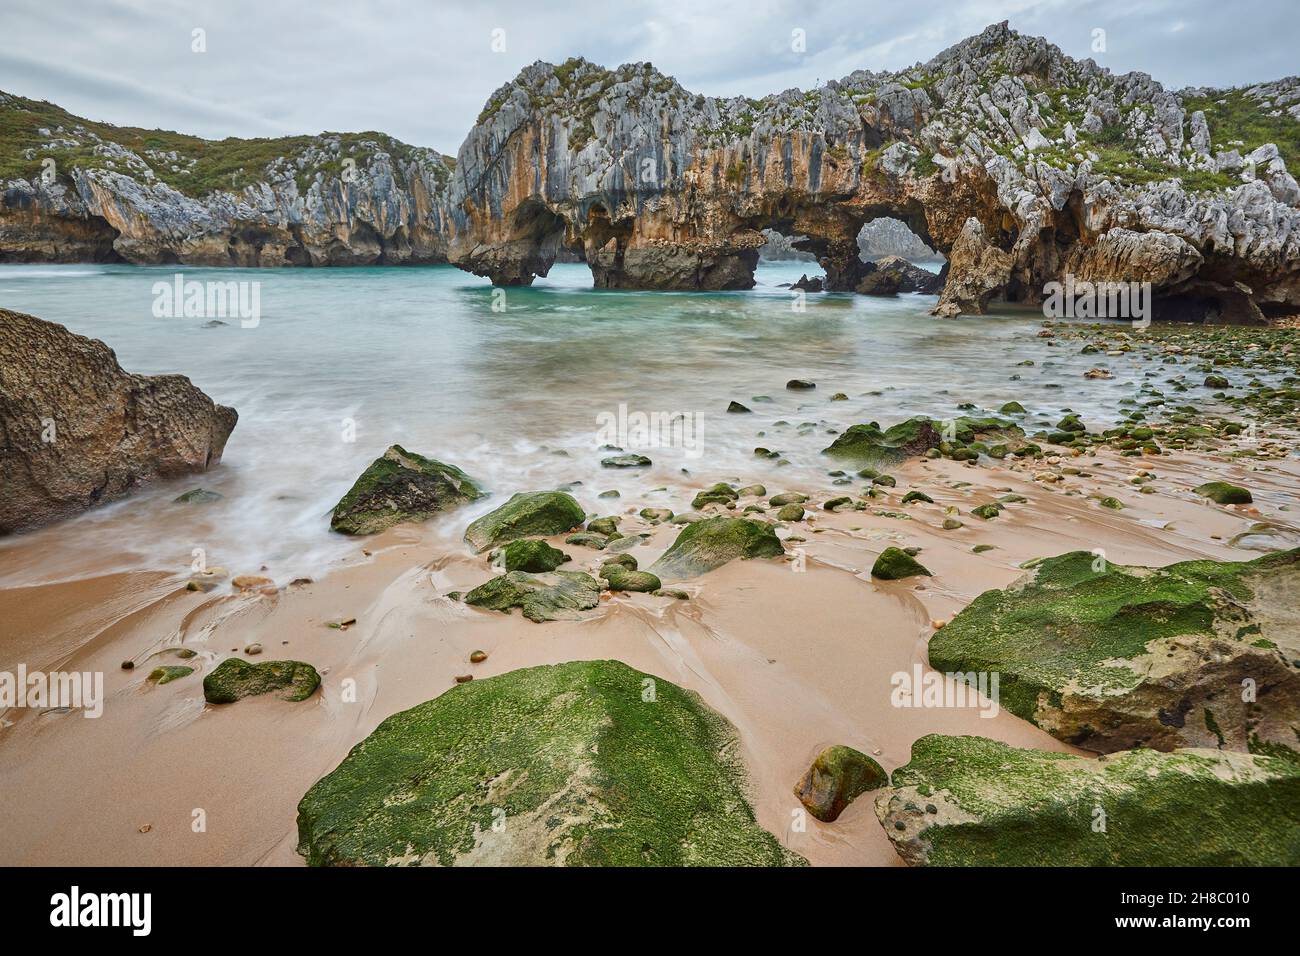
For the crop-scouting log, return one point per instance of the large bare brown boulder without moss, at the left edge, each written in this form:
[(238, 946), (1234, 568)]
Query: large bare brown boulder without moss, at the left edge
[(77, 431)]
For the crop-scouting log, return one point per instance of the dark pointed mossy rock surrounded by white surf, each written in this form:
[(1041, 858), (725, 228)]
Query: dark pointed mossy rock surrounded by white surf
[(401, 487)]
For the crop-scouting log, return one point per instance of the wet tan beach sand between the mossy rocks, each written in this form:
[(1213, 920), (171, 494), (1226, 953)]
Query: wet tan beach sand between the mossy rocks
[(796, 659)]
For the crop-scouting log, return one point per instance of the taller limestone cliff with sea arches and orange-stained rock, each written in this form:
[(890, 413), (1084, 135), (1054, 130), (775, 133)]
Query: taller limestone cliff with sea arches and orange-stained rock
[(1063, 166)]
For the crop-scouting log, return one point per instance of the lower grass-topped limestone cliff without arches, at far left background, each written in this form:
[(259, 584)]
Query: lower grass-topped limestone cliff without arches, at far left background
[(72, 191)]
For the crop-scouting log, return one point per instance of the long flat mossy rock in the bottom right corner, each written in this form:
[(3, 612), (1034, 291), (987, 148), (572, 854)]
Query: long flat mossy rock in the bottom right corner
[(970, 802)]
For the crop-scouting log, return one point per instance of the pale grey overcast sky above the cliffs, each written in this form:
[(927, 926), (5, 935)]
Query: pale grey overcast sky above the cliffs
[(422, 71)]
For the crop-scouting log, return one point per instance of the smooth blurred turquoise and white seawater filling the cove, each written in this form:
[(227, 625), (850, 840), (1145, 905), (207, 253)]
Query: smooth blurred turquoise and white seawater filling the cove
[(419, 357)]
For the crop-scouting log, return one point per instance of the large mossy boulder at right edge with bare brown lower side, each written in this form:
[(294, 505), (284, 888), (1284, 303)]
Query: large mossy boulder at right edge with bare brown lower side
[(1112, 657)]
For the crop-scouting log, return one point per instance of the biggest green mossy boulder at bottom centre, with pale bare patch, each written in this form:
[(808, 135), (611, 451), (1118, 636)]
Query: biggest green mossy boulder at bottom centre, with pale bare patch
[(584, 764)]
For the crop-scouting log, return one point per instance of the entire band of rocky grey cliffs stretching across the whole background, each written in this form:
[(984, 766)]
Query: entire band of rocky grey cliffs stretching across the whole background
[(1017, 163)]
